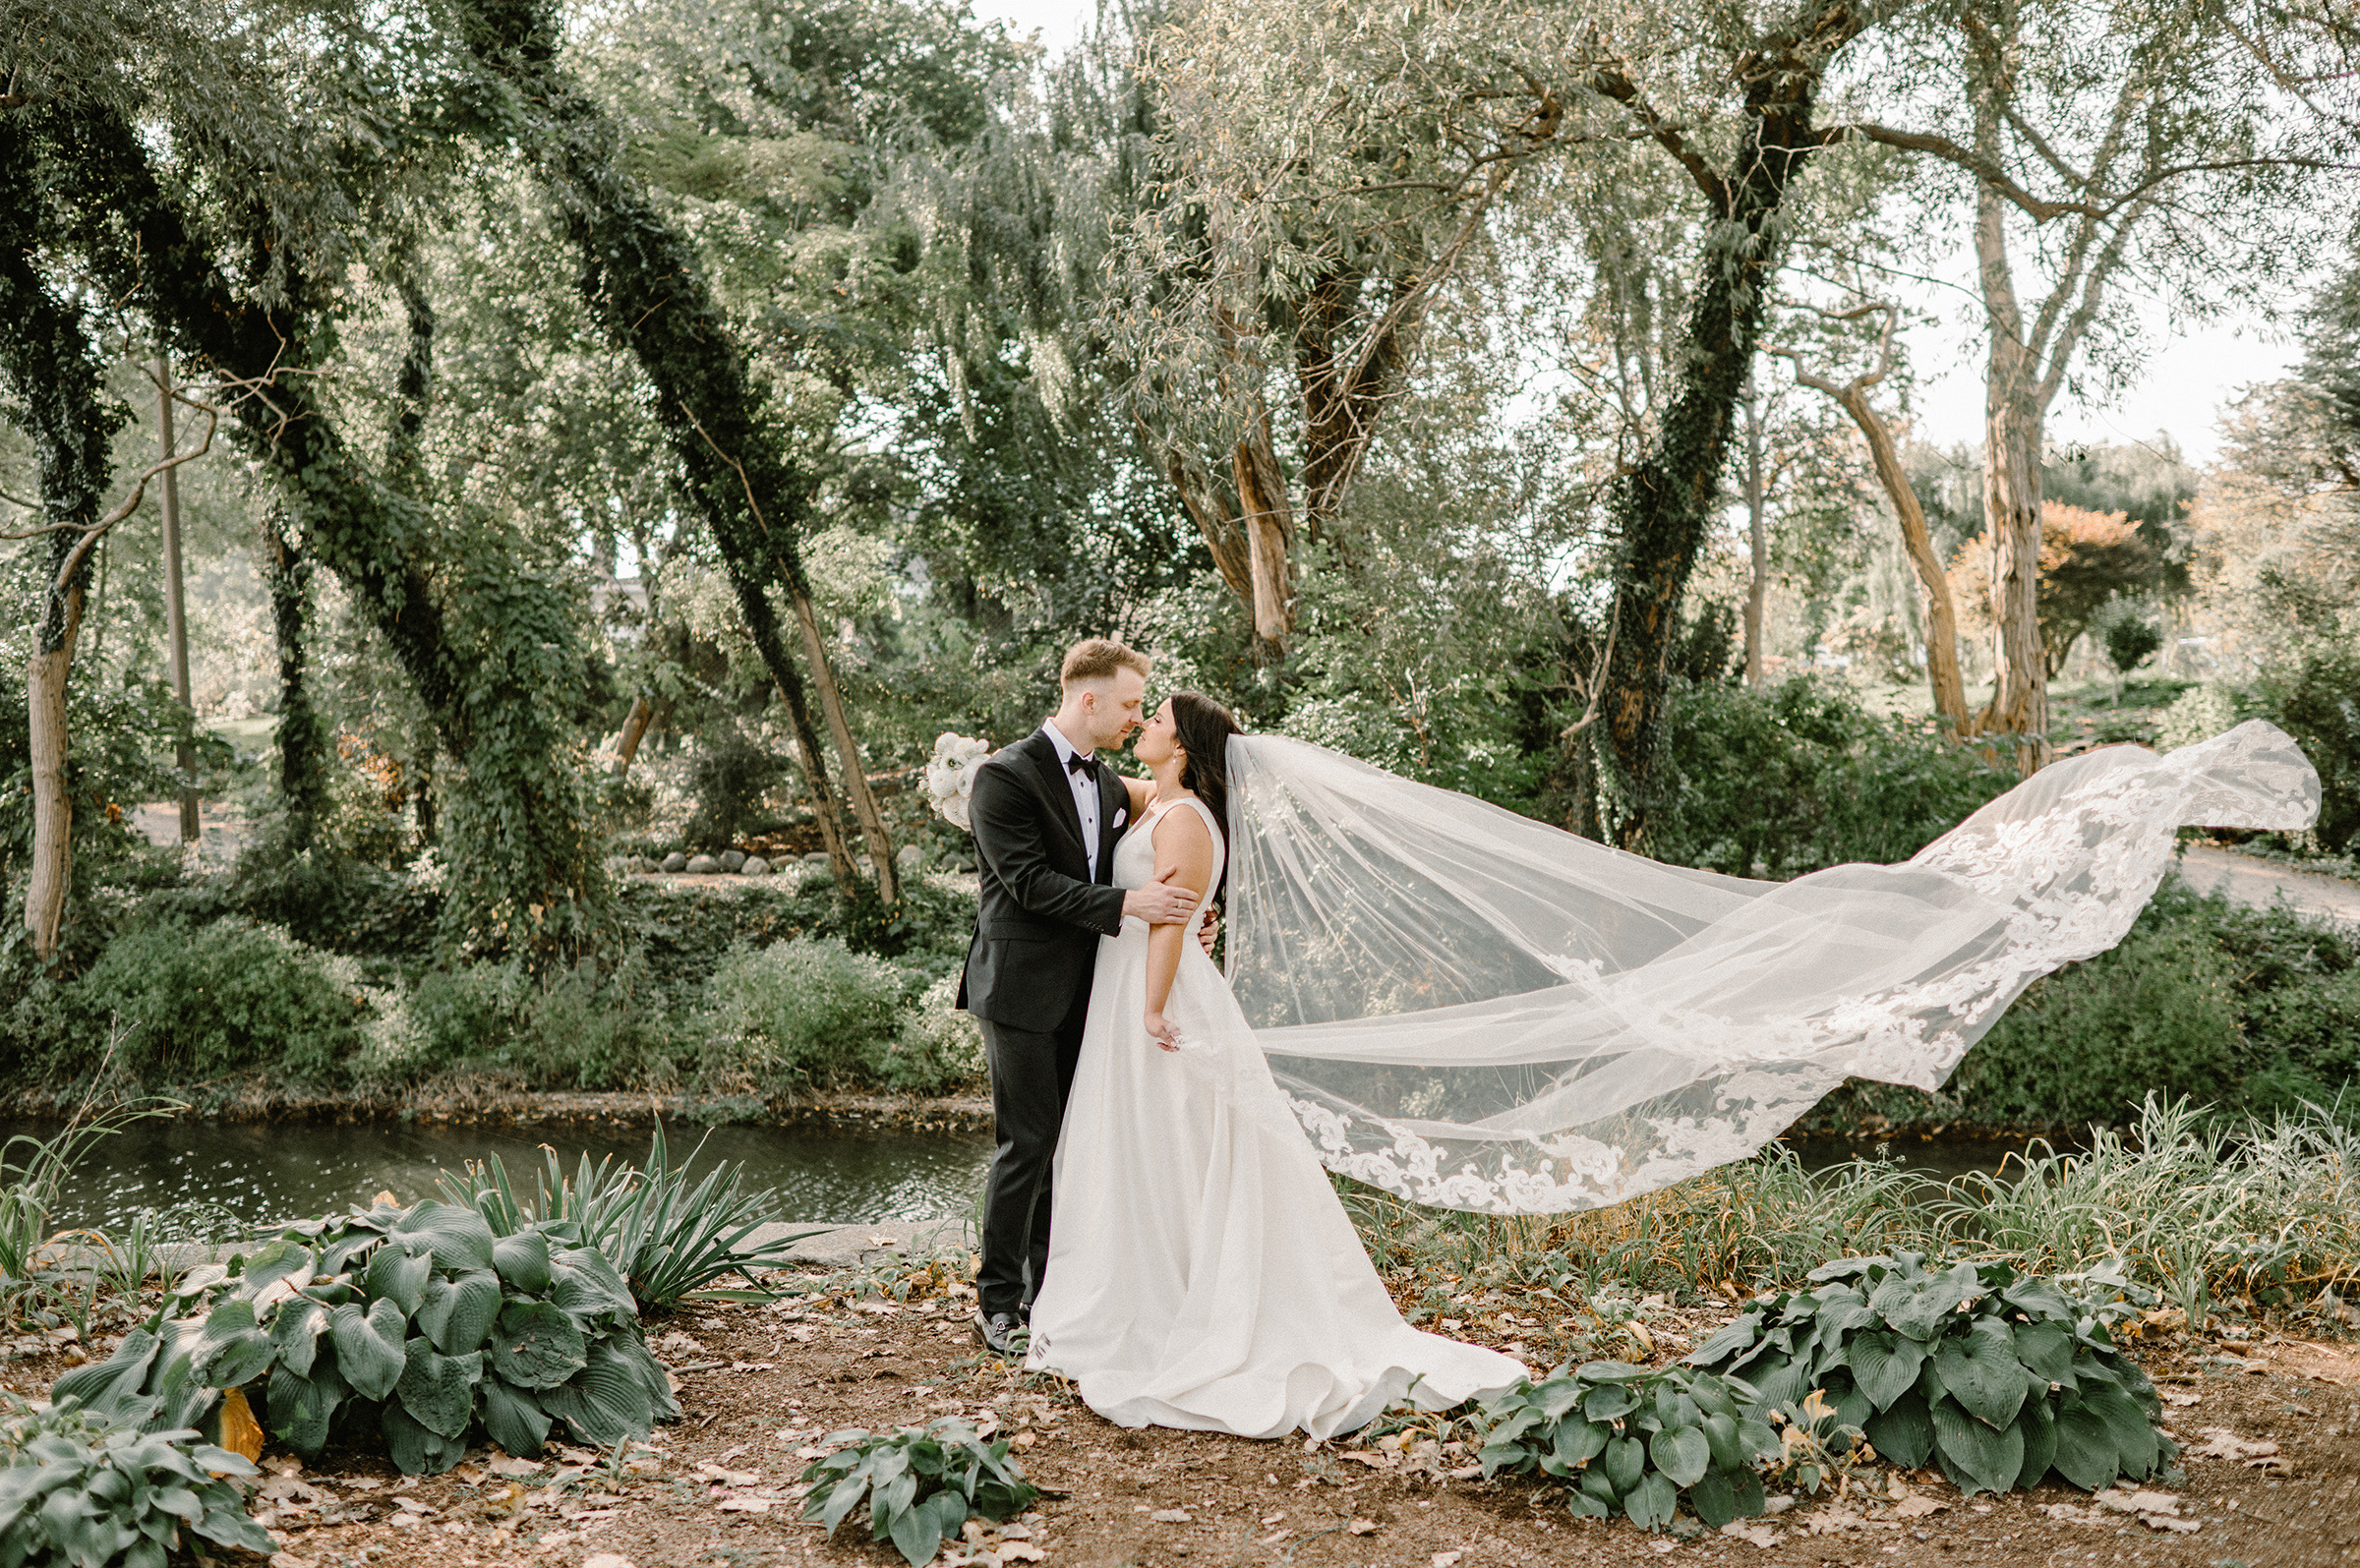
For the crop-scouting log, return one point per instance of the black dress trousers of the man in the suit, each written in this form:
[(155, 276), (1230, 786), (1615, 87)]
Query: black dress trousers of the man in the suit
[(1032, 1072)]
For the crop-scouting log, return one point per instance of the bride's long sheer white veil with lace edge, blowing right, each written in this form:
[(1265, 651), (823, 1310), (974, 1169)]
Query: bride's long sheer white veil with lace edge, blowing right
[(1481, 1013)]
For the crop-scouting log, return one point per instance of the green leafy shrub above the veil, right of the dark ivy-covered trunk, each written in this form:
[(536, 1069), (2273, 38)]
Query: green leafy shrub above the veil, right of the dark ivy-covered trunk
[(1785, 782)]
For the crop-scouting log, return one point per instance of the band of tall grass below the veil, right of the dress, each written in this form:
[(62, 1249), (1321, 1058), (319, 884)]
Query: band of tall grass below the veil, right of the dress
[(2203, 1211)]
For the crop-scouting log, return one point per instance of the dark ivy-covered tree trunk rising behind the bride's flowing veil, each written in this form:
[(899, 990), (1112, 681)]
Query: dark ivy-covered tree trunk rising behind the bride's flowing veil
[(1667, 503)]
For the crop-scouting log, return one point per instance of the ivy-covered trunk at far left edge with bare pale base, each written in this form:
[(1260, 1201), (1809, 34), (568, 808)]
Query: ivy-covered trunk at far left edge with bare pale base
[(60, 388)]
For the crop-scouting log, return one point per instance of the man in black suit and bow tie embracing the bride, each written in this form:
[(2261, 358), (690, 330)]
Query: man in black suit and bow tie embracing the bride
[(1047, 819)]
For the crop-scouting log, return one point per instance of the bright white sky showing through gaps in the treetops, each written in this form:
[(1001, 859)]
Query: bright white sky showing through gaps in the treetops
[(2182, 390)]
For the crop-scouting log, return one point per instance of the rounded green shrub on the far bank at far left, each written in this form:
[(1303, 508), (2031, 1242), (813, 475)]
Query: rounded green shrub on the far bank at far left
[(202, 1001)]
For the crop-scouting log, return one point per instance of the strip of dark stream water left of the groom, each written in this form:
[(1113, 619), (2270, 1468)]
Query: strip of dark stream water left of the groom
[(261, 1173)]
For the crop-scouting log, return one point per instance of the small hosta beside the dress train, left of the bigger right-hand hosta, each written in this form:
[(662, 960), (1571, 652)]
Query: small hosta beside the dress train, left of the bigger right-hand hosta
[(1634, 1442)]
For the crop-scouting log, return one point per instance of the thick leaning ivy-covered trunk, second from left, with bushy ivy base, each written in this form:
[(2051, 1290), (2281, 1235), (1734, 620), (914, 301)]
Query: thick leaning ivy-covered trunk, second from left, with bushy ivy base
[(483, 640)]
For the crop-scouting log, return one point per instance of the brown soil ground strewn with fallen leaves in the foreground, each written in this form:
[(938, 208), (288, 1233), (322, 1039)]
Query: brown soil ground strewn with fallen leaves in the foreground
[(2269, 1473)]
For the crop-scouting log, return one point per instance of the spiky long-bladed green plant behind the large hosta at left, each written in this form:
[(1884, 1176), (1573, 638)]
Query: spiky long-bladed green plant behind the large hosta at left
[(664, 1237)]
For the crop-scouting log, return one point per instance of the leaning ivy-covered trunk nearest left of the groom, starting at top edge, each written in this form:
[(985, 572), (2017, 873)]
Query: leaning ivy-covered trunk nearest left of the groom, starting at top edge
[(650, 289)]
